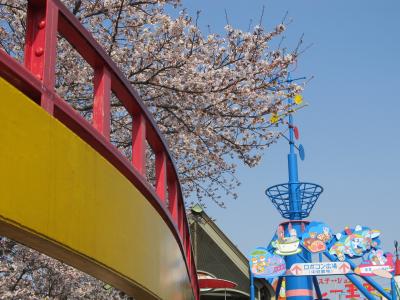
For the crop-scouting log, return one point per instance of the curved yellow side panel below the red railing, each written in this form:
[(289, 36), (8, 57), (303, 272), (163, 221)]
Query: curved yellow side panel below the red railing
[(61, 196)]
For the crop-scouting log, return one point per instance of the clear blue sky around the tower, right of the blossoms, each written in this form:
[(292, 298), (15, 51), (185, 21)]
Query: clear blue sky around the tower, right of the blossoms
[(350, 130)]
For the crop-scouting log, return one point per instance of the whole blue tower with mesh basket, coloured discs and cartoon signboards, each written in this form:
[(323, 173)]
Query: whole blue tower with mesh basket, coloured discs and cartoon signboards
[(296, 252)]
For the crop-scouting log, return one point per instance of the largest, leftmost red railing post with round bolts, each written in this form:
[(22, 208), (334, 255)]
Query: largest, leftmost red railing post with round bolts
[(41, 45)]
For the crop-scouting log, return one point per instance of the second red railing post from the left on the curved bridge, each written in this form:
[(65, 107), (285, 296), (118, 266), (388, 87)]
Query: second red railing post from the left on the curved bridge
[(101, 104)]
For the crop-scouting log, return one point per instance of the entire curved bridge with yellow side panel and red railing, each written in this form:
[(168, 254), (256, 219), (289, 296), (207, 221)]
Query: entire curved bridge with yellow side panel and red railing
[(67, 191)]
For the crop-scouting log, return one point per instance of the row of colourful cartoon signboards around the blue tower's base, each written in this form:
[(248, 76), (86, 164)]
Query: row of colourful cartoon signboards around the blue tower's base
[(360, 243)]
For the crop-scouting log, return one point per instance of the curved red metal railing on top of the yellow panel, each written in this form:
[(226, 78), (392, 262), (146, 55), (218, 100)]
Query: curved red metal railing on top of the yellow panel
[(45, 20)]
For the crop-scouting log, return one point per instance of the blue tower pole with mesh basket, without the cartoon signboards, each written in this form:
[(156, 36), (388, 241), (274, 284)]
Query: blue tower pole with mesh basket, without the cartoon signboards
[(294, 201)]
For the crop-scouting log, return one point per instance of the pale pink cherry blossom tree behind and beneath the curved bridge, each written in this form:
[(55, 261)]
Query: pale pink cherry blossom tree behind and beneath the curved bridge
[(212, 96)]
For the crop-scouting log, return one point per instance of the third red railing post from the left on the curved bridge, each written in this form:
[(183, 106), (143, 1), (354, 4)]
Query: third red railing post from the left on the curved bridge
[(139, 143)]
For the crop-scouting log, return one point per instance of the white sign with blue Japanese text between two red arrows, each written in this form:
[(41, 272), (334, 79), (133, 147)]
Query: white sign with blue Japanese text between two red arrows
[(323, 268)]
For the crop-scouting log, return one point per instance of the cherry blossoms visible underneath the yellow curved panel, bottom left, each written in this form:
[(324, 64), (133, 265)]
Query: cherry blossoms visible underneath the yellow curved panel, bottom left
[(28, 274)]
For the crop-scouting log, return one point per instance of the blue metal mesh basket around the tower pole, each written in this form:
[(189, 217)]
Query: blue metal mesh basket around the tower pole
[(308, 194)]
